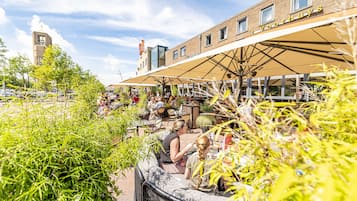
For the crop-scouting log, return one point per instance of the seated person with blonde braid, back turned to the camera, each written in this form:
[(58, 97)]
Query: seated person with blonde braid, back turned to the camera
[(199, 181)]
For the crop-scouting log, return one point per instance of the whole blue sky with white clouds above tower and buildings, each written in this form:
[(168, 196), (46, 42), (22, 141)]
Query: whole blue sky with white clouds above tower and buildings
[(103, 35)]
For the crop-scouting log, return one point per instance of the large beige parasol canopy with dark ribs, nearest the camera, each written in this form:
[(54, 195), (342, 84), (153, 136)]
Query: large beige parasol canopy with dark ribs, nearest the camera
[(296, 48)]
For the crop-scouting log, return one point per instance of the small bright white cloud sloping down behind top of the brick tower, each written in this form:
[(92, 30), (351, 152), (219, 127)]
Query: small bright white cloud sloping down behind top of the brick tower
[(38, 25)]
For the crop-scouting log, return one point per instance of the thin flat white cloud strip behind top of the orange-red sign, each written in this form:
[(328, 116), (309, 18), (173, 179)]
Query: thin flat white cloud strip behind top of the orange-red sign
[(132, 42)]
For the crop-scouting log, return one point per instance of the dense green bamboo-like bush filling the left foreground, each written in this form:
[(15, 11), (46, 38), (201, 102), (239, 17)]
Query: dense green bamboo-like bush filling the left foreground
[(52, 152)]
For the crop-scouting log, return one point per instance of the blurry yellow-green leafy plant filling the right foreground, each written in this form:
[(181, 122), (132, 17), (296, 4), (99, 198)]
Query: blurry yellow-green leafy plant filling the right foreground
[(292, 151)]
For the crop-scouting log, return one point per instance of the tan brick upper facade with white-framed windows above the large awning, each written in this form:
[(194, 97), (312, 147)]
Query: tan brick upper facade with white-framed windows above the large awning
[(265, 16)]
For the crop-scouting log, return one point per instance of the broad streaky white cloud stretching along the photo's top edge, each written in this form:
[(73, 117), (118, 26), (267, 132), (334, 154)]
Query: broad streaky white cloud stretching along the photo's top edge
[(168, 17)]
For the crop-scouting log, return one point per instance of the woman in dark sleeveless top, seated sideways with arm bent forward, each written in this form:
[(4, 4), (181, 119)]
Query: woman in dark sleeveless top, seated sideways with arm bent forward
[(172, 158)]
